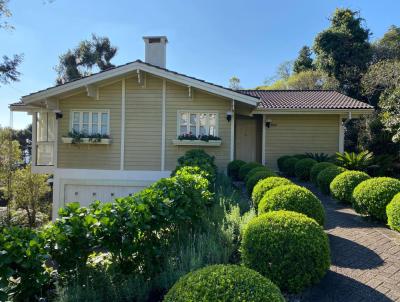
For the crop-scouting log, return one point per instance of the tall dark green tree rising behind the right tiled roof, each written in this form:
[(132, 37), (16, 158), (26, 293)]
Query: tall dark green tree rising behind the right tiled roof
[(343, 50)]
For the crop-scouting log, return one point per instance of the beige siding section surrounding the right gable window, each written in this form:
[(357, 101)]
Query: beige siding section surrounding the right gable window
[(178, 99)]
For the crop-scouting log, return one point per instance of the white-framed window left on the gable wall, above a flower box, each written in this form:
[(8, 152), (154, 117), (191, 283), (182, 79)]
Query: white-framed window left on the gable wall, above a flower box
[(90, 122)]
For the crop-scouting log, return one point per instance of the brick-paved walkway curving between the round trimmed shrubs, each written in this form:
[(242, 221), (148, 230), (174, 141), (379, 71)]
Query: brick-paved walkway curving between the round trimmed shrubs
[(365, 258)]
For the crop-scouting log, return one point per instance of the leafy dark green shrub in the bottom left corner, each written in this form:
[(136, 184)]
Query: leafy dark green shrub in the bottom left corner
[(22, 276)]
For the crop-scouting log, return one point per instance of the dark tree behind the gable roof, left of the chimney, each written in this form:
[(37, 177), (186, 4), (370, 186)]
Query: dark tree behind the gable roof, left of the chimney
[(77, 63)]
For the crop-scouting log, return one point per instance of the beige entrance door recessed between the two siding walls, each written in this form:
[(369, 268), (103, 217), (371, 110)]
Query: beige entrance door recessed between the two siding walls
[(246, 139)]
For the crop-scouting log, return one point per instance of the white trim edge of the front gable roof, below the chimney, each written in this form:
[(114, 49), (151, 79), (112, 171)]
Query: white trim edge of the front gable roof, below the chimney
[(146, 67)]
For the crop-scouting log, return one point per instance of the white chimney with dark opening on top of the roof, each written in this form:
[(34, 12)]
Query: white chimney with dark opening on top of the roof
[(156, 50)]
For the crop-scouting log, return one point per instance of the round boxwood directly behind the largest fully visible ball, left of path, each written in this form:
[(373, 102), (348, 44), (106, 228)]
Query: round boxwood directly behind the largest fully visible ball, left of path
[(293, 198)]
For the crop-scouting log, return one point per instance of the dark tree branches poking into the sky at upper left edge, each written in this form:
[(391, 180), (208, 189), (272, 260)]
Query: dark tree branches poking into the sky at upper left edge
[(8, 67)]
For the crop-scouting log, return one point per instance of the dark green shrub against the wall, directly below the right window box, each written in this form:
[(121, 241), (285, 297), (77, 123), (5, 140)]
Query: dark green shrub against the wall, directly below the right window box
[(198, 158)]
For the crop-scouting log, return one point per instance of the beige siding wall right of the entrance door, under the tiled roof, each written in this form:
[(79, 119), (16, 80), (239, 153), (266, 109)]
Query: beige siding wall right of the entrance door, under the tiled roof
[(294, 134)]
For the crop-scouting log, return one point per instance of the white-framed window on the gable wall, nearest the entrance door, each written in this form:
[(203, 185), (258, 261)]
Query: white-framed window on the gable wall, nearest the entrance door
[(197, 123)]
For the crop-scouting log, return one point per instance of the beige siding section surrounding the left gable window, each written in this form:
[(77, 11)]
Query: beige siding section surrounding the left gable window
[(86, 156)]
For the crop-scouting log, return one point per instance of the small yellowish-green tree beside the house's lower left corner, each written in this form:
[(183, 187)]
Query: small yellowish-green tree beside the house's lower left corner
[(29, 192)]
